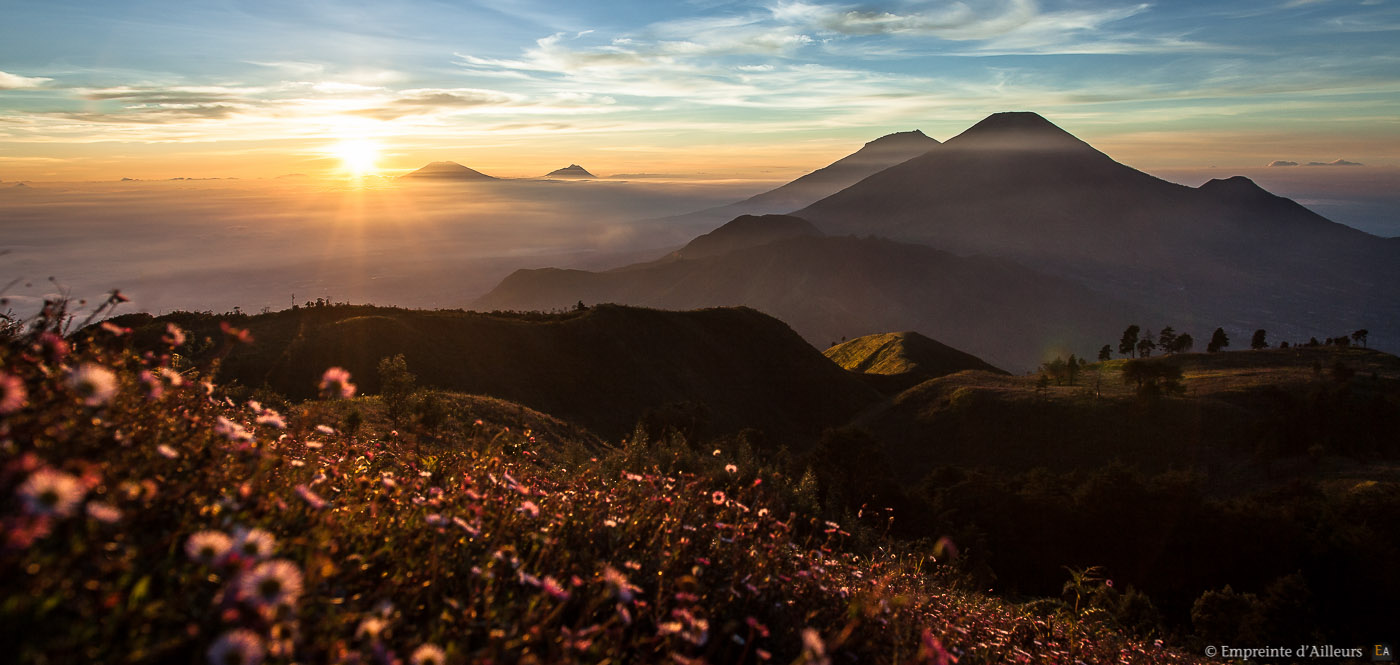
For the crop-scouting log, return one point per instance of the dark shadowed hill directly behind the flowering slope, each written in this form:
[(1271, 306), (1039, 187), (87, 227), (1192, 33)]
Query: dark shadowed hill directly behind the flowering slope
[(608, 367)]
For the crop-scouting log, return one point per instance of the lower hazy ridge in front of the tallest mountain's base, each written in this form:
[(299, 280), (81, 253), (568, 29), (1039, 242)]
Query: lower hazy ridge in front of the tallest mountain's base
[(832, 288)]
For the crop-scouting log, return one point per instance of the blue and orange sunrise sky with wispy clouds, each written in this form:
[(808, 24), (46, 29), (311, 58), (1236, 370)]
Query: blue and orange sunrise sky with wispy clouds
[(705, 89)]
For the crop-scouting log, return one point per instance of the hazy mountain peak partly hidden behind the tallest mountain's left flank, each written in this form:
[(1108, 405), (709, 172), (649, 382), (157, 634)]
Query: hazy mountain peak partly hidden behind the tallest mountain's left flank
[(871, 159)]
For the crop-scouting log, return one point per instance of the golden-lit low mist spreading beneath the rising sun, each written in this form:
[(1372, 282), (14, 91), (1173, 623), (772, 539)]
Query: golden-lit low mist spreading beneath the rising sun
[(268, 244)]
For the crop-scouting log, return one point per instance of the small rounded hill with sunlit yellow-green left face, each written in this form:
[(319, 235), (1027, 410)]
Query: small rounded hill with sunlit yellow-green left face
[(897, 362)]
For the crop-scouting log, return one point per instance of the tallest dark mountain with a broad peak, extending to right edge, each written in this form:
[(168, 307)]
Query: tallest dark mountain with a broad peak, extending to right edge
[(1228, 254)]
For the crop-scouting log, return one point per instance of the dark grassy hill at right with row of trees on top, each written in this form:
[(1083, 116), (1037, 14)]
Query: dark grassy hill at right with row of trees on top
[(1240, 408)]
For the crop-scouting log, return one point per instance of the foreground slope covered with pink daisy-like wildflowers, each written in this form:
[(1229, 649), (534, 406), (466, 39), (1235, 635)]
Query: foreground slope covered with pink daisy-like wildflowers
[(485, 544)]
